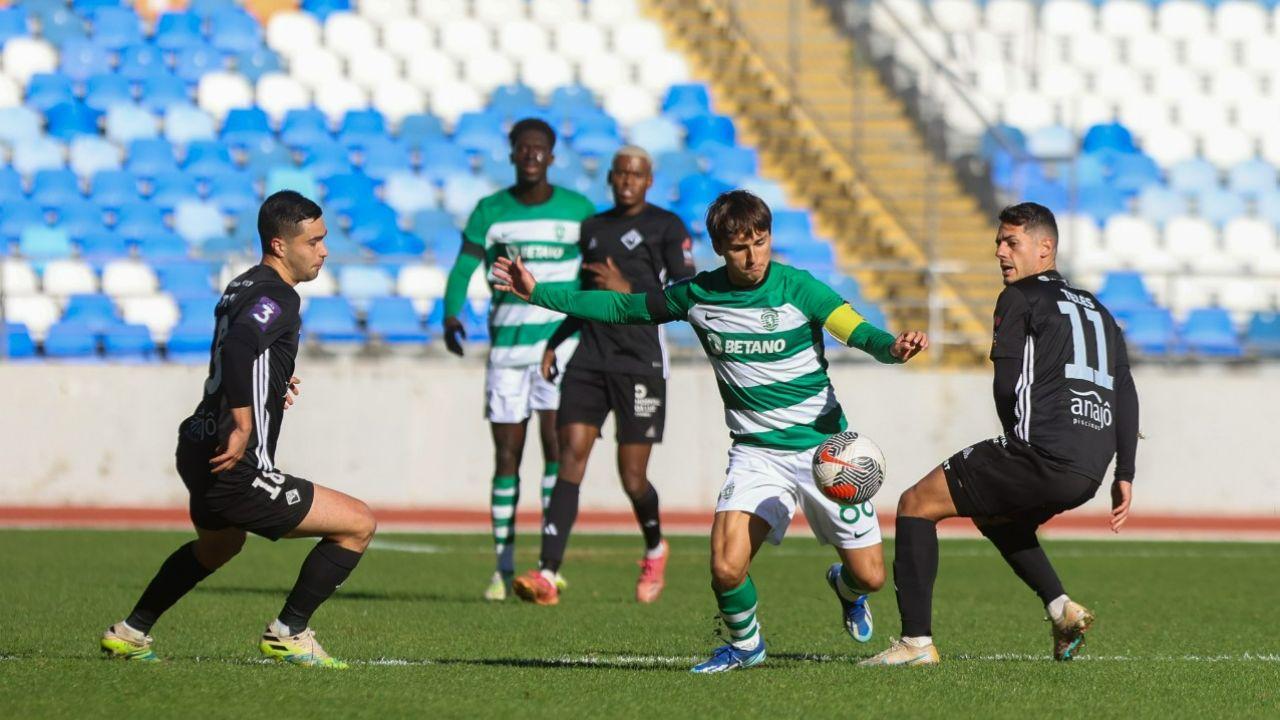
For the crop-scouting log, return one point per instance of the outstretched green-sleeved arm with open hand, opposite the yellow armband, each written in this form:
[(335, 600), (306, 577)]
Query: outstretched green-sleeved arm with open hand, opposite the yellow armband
[(601, 306)]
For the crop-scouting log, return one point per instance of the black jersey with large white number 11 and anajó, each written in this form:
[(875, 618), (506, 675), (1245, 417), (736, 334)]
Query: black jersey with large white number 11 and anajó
[(1060, 368)]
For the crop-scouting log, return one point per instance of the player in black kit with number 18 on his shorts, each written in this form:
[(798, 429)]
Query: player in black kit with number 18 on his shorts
[(227, 453)]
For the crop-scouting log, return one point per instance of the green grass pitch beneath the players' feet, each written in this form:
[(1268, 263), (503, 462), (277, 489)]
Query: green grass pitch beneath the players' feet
[(1185, 630)]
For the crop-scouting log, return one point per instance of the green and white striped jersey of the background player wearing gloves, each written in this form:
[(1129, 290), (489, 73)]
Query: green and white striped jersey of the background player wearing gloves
[(546, 238)]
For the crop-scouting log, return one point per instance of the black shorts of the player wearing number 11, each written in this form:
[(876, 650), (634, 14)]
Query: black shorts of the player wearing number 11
[(1008, 479)]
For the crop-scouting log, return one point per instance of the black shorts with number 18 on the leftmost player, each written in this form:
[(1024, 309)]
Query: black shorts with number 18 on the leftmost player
[(266, 503)]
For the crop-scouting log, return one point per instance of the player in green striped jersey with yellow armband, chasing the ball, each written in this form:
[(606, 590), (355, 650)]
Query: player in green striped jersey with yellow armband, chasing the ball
[(761, 325)]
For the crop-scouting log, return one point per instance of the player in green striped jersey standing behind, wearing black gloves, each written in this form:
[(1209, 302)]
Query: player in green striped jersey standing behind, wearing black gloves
[(540, 224)]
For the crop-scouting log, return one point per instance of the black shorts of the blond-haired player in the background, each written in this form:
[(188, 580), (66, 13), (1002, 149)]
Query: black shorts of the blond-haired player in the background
[(639, 403)]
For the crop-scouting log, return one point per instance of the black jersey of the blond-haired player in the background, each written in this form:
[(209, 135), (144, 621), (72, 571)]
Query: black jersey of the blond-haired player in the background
[(651, 249)]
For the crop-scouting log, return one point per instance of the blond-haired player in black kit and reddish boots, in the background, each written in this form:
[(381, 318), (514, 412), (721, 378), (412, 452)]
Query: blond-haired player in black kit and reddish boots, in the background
[(632, 248)]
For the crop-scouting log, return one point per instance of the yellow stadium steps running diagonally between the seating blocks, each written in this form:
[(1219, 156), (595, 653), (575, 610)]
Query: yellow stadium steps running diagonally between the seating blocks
[(847, 143)]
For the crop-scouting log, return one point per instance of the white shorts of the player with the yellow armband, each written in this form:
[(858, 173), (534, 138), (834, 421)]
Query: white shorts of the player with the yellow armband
[(771, 484)]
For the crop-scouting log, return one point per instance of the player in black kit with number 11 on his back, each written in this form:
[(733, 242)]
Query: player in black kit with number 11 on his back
[(1068, 405)]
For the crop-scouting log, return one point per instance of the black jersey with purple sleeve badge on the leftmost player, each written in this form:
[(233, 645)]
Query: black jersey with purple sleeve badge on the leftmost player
[(252, 361)]
